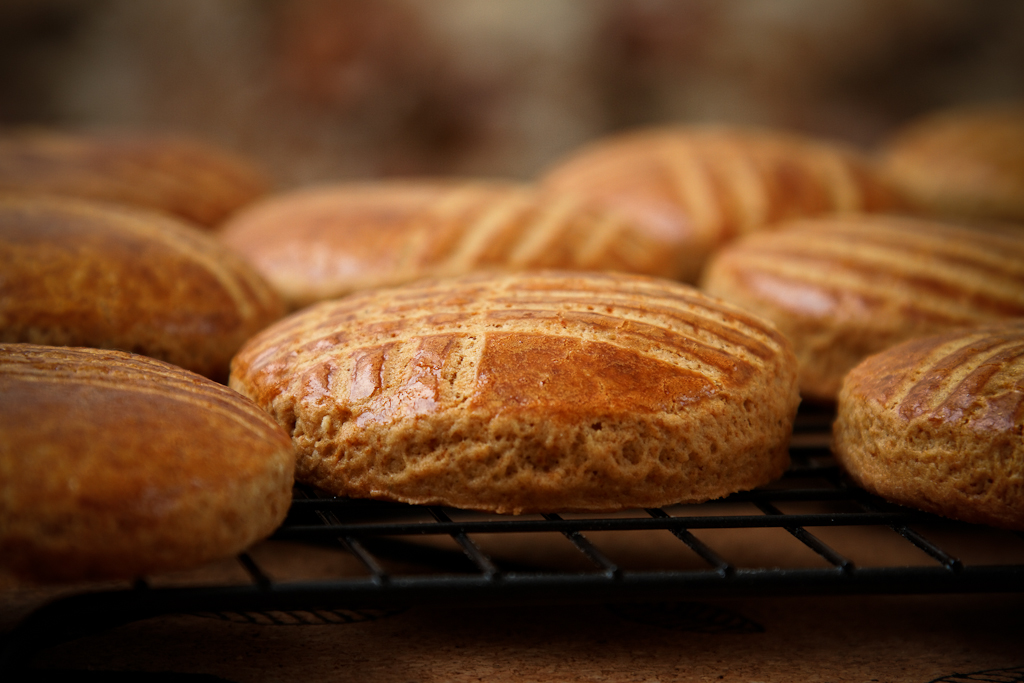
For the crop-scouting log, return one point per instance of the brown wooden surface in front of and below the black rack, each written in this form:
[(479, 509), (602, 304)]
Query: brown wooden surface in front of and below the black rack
[(822, 639)]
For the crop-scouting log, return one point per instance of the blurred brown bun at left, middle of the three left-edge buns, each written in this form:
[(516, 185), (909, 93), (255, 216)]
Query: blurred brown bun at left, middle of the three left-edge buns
[(79, 274)]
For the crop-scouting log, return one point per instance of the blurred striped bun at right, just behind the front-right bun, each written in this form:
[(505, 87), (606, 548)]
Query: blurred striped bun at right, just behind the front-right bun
[(843, 288)]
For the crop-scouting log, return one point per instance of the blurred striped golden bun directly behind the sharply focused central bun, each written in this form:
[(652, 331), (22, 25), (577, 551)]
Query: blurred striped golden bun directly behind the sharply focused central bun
[(327, 242)]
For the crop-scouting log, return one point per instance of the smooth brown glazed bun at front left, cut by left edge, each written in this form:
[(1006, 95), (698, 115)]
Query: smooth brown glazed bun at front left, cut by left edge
[(114, 466)]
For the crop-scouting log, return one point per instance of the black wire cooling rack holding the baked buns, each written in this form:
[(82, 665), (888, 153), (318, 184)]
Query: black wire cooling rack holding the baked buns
[(809, 534)]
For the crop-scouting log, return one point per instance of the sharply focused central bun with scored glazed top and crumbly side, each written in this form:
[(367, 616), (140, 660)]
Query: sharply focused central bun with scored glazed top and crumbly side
[(538, 392)]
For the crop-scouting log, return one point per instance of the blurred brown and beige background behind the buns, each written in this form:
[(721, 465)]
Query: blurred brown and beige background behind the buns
[(319, 90)]
